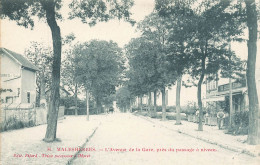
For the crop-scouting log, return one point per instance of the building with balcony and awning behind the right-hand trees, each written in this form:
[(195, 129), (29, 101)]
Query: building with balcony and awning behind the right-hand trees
[(217, 94)]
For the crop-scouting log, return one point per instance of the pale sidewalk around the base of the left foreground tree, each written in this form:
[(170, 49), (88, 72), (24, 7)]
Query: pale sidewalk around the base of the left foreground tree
[(72, 131)]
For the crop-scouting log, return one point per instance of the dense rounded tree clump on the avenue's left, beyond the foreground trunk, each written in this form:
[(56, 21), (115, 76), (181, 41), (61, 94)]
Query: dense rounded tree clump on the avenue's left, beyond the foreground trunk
[(96, 66)]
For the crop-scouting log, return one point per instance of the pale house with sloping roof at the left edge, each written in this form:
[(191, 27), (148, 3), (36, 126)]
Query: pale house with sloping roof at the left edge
[(18, 79)]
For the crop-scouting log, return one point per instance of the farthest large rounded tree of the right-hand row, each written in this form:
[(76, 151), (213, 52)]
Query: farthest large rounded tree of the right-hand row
[(140, 63)]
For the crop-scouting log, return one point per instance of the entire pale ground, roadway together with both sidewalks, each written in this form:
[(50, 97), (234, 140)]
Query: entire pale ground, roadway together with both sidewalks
[(118, 139)]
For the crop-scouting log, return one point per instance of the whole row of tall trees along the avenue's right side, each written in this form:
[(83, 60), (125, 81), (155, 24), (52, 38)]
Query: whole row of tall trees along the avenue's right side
[(180, 38)]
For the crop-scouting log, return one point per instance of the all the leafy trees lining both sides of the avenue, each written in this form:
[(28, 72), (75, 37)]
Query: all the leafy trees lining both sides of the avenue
[(179, 37)]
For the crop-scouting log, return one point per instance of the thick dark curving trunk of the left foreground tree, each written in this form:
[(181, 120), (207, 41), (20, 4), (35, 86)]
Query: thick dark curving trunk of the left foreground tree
[(49, 7)]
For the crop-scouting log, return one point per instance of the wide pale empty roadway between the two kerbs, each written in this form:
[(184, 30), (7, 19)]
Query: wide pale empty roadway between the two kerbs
[(127, 139)]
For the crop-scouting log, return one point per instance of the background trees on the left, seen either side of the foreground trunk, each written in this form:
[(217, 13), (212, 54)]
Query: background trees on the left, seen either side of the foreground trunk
[(94, 68)]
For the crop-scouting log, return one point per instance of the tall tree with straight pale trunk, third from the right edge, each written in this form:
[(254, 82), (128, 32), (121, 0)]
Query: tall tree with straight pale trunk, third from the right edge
[(181, 28)]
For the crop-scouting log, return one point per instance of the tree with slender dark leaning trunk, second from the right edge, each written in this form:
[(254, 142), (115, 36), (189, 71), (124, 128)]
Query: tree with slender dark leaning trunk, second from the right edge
[(216, 23)]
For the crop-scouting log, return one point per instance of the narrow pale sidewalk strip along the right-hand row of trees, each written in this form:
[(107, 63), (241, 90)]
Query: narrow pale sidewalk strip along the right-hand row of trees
[(210, 134)]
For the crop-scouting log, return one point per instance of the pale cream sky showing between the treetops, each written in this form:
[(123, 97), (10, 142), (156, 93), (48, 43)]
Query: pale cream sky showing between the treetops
[(17, 38)]
